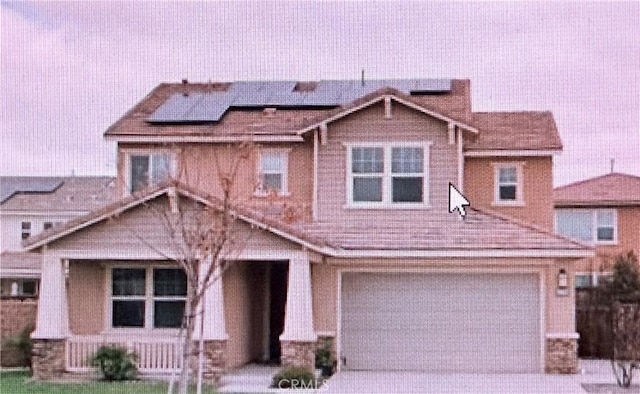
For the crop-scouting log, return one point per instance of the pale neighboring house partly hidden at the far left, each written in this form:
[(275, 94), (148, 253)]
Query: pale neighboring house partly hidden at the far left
[(29, 205)]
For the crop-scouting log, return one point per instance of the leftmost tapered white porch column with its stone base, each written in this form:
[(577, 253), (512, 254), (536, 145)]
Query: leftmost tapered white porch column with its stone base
[(52, 321)]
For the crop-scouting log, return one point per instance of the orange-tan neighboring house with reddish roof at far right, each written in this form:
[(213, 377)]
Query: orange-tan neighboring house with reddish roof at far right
[(604, 212)]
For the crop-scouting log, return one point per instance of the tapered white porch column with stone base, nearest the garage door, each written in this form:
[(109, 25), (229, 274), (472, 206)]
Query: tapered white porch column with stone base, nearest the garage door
[(298, 339)]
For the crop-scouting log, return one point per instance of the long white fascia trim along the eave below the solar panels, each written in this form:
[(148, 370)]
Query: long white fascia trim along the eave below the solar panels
[(159, 139)]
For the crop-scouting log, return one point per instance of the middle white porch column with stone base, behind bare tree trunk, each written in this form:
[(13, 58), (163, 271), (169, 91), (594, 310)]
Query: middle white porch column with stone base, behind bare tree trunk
[(214, 332)]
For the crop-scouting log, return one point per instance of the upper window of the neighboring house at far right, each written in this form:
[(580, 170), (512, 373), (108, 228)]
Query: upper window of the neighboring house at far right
[(588, 225)]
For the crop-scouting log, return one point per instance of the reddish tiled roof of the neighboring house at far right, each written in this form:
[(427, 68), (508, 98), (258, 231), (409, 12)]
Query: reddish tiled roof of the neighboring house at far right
[(613, 189)]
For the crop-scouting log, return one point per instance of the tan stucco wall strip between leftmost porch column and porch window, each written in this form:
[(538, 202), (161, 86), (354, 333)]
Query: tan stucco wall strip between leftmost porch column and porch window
[(86, 297)]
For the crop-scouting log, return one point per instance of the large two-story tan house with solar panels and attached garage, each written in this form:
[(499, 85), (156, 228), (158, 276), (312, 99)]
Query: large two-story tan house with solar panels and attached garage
[(344, 213)]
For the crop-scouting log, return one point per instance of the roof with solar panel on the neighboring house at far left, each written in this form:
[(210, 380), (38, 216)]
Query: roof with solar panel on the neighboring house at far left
[(56, 194)]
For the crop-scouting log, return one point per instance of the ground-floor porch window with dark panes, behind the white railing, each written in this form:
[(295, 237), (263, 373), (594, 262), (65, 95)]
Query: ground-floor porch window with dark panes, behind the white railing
[(147, 297)]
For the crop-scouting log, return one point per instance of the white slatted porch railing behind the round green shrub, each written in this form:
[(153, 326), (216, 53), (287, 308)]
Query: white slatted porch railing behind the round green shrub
[(154, 355)]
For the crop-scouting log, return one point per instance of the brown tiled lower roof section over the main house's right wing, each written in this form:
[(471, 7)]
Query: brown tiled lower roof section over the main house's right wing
[(513, 131)]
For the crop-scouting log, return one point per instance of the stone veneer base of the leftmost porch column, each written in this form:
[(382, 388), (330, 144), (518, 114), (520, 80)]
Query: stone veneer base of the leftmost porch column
[(48, 358)]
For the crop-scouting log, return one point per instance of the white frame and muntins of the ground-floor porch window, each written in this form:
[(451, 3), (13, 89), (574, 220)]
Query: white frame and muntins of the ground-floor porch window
[(149, 299)]
